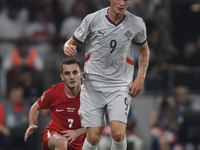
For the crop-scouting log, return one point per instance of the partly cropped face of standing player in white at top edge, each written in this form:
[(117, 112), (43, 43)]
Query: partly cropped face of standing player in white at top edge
[(119, 6)]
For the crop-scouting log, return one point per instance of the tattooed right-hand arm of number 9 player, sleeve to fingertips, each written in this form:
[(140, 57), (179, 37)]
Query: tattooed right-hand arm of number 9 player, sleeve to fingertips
[(143, 63)]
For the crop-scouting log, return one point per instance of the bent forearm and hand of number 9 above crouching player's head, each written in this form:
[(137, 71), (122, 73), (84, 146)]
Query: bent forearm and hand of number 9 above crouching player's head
[(70, 47)]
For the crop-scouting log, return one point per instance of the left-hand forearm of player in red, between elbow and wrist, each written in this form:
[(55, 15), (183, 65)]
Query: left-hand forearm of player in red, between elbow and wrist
[(34, 113)]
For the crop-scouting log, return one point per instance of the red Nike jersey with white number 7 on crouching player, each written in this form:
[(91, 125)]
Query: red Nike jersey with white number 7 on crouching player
[(64, 111)]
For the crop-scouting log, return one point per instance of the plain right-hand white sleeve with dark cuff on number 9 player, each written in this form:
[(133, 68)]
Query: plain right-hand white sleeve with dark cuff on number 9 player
[(141, 36)]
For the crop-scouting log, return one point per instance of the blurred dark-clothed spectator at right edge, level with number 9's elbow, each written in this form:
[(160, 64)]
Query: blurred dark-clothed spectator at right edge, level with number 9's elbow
[(184, 66)]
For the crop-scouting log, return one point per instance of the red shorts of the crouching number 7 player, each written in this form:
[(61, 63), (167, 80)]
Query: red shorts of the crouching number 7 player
[(75, 145)]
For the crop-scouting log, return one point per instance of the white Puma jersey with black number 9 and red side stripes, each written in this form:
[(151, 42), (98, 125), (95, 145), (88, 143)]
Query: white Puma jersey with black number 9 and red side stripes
[(109, 49)]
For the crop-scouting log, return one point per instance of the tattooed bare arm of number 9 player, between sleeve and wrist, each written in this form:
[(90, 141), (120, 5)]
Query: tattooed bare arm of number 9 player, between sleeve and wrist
[(143, 61)]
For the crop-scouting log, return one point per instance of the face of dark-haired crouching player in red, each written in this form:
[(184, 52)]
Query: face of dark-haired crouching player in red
[(71, 75)]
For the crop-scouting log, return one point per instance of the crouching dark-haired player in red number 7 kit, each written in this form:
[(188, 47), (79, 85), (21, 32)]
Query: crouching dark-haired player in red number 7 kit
[(64, 131)]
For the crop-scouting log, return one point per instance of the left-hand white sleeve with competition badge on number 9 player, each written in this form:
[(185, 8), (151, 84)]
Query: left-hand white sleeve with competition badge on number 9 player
[(83, 30)]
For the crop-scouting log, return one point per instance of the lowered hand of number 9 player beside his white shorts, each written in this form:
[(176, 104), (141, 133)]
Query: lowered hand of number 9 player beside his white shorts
[(137, 86)]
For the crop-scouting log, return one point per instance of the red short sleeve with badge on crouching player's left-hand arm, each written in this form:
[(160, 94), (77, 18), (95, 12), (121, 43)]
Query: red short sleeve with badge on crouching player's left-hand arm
[(45, 100)]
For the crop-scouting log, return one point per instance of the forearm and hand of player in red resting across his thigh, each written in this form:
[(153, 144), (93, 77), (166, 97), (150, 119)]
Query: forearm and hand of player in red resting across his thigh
[(73, 134)]
